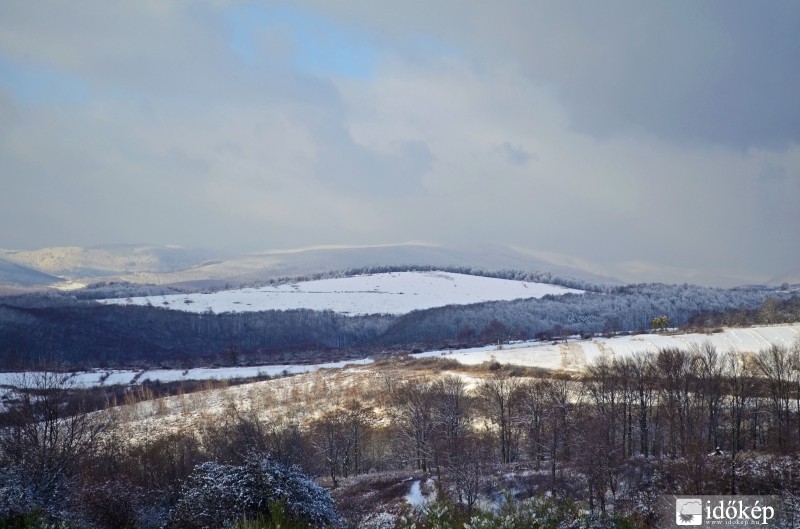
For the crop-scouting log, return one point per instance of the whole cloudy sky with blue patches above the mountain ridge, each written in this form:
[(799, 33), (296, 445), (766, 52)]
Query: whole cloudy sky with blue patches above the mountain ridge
[(653, 139)]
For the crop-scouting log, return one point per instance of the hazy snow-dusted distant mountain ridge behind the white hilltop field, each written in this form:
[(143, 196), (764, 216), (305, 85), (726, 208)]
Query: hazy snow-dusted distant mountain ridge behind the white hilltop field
[(195, 268)]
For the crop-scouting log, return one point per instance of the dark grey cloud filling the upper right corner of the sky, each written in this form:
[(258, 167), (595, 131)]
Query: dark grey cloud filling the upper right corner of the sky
[(718, 72)]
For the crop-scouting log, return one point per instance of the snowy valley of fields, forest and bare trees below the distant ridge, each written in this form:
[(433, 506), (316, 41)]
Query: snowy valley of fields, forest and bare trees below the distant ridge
[(395, 396)]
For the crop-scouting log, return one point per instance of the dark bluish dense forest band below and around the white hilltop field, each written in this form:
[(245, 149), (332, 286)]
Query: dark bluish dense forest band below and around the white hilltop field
[(74, 330)]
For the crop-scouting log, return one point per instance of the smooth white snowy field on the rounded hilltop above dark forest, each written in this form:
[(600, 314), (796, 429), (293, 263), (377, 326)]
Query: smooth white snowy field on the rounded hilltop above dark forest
[(393, 293)]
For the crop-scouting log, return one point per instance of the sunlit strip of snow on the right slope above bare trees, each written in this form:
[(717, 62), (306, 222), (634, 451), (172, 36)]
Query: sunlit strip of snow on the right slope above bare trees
[(576, 354)]
